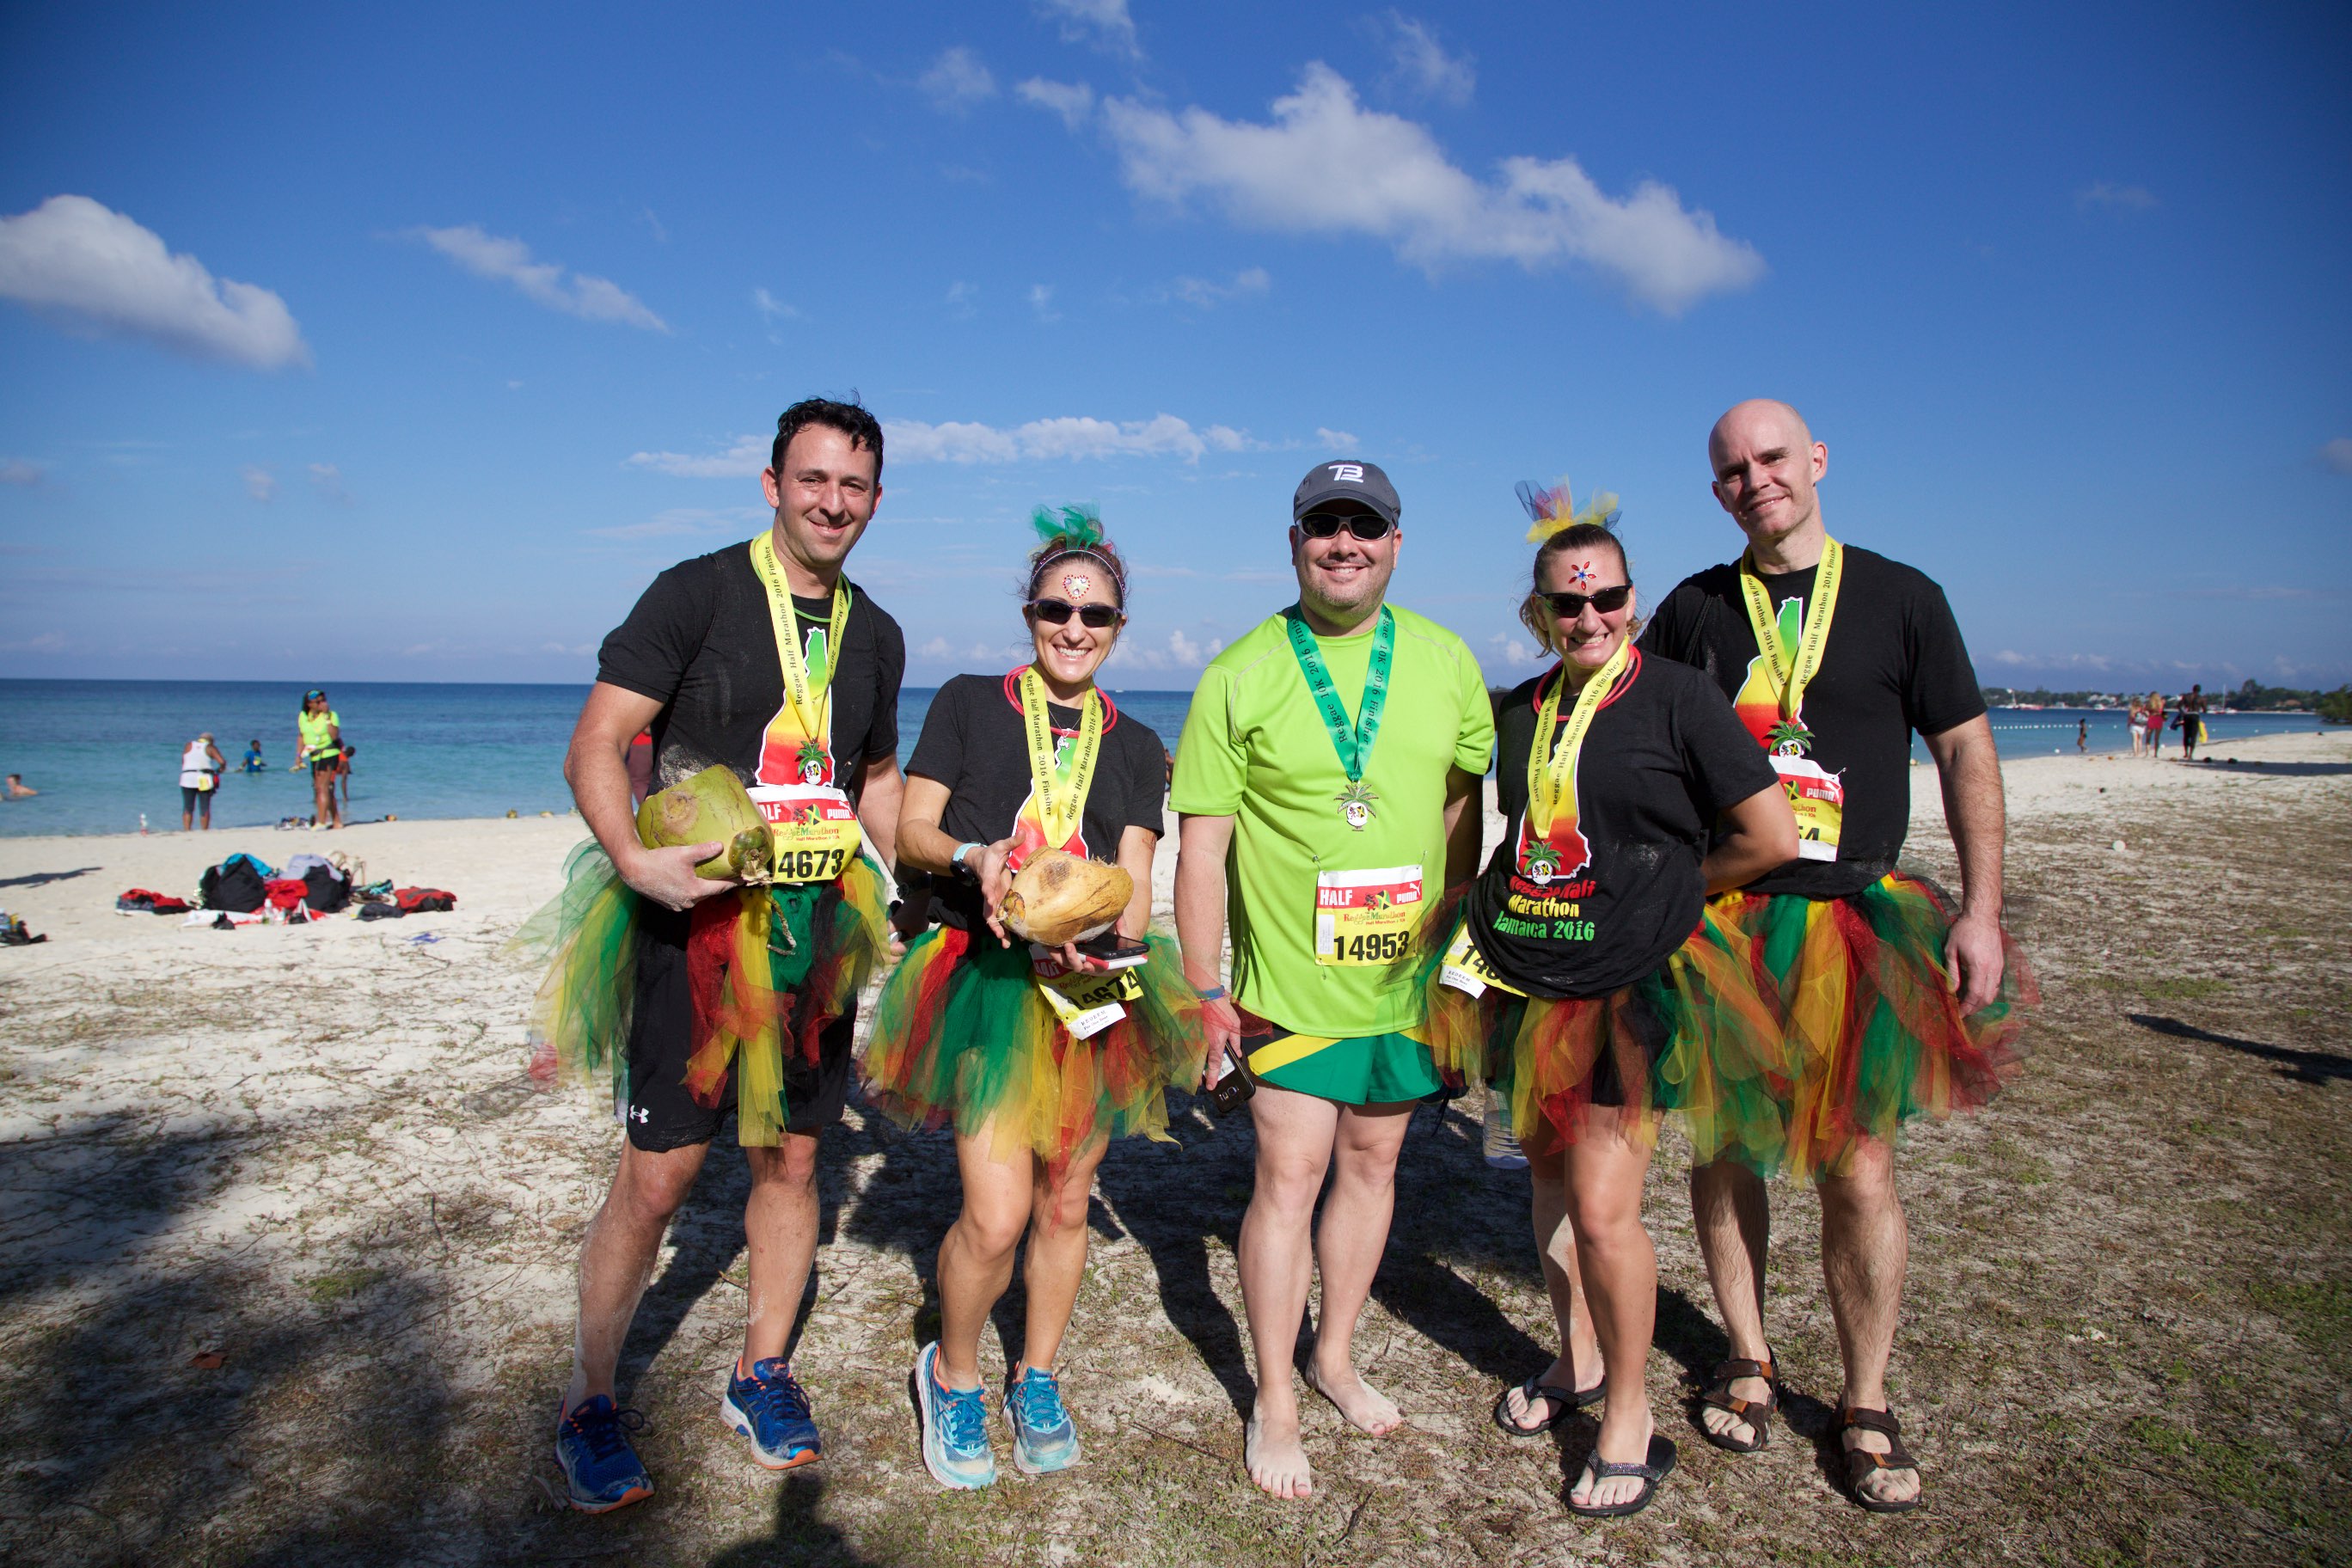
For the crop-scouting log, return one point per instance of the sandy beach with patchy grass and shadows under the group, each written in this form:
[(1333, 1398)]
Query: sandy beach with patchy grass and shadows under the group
[(290, 1254)]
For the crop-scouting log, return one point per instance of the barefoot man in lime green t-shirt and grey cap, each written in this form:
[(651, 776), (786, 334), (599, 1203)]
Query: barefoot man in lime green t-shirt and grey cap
[(1328, 793)]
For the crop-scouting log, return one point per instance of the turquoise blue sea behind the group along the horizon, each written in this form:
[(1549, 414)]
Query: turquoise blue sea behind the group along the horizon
[(107, 753)]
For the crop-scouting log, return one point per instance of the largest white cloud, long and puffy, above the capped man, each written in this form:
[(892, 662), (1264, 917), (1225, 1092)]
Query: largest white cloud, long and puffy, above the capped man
[(1330, 166)]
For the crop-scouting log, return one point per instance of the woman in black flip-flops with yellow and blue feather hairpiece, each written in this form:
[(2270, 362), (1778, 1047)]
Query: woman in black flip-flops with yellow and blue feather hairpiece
[(1582, 977)]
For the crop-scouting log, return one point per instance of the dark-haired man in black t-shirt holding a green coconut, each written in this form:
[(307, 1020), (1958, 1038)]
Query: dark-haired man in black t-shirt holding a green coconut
[(702, 664)]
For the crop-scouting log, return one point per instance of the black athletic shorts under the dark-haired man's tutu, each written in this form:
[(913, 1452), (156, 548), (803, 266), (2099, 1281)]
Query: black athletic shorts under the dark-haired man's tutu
[(660, 1111)]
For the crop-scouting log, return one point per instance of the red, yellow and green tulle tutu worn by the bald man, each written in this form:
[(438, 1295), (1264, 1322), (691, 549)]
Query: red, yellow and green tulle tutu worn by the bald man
[(1859, 986)]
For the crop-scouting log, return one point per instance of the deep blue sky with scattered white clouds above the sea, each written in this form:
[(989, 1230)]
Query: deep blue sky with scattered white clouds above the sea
[(410, 344)]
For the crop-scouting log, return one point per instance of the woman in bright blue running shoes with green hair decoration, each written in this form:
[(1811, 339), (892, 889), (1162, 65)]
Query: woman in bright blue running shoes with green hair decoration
[(1038, 1059)]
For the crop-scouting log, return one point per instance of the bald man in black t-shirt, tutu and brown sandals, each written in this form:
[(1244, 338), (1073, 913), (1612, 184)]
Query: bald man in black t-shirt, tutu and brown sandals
[(1899, 1000)]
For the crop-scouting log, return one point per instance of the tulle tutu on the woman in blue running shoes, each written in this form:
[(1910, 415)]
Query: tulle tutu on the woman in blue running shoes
[(965, 1038)]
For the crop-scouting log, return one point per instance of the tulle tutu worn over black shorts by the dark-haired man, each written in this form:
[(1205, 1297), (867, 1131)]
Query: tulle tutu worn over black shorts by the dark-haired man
[(768, 970)]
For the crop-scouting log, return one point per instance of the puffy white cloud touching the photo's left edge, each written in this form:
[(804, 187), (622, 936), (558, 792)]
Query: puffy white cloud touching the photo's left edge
[(100, 272)]
